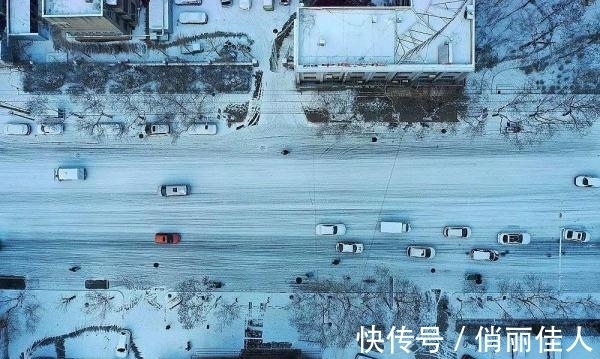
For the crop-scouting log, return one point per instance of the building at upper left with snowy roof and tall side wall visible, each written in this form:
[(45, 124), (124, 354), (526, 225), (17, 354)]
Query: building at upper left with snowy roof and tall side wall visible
[(93, 19)]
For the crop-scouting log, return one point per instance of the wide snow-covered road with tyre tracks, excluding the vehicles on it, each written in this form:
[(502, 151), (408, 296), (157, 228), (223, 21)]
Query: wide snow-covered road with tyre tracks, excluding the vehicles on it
[(251, 216)]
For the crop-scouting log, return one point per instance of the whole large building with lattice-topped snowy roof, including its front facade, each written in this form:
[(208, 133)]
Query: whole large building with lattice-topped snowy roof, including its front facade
[(420, 41)]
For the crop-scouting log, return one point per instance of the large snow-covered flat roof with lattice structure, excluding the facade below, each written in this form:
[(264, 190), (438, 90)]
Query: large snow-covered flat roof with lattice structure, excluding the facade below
[(426, 33)]
